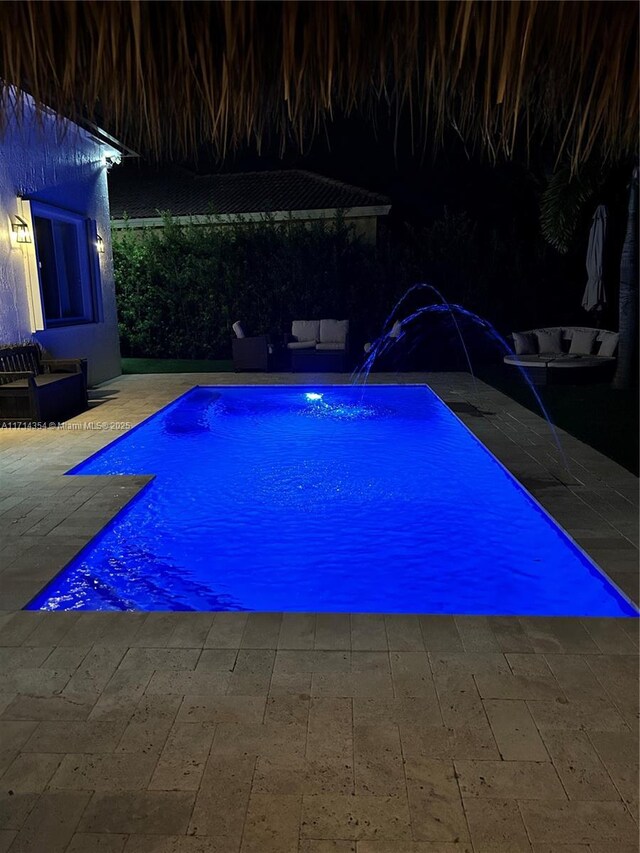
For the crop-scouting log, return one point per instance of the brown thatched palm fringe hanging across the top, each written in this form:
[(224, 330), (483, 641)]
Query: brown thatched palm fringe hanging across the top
[(166, 77)]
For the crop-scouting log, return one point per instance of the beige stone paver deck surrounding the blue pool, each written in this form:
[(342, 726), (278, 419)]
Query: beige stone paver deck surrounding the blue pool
[(303, 733)]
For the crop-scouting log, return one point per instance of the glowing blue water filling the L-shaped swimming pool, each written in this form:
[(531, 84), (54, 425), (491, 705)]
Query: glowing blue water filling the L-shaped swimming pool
[(353, 499)]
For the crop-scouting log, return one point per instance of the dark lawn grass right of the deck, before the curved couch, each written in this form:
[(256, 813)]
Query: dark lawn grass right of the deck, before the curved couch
[(602, 417)]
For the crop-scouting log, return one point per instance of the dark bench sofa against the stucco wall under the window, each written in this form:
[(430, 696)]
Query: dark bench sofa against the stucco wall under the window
[(35, 389)]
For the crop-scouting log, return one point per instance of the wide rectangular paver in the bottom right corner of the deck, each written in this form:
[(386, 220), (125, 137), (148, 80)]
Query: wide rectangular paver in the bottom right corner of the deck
[(574, 821)]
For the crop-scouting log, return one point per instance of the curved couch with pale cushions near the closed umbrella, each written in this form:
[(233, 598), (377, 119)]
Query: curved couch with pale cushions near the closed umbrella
[(564, 354)]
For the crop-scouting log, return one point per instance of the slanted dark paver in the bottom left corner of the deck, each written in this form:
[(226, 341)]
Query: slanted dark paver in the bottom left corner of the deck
[(51, 823)]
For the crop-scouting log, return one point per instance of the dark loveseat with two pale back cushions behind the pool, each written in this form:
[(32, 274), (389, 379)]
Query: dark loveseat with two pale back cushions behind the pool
[(318, 345)]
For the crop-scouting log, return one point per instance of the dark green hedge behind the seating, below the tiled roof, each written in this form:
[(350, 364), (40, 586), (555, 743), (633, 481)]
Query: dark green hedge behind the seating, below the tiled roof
[(181, 287)]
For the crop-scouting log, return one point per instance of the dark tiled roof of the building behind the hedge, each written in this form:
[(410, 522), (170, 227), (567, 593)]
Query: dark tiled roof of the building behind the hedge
[(182, 193)]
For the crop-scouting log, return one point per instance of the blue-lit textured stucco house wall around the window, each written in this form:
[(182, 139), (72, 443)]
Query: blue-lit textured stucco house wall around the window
[(45, 159)]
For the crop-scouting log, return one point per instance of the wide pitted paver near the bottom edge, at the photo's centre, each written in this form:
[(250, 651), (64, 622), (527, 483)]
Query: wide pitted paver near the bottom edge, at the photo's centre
[(333, 816)]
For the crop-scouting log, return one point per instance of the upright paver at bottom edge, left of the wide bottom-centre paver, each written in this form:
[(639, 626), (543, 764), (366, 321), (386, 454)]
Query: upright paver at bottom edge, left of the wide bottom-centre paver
[(272, 824)]
